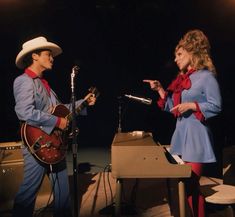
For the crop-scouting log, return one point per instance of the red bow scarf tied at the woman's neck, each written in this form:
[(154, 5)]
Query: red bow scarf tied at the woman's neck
[(182, 82)]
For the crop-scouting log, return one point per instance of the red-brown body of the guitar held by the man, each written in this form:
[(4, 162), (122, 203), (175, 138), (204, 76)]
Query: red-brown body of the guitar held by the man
[(49, 149)]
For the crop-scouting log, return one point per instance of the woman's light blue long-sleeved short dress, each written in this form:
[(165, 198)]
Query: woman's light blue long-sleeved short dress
[(192, 139)]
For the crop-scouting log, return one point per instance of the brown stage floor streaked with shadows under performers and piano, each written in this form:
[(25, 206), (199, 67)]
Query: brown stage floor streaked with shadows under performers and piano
[(96, 191)]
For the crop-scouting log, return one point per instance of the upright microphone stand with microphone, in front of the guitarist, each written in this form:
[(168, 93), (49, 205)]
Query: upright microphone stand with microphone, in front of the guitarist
[(74, 140)]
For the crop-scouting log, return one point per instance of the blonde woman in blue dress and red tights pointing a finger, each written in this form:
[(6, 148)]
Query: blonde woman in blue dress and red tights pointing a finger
[(193, 97)]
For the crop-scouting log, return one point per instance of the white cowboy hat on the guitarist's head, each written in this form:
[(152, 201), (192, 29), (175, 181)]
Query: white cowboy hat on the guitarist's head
[(35, 44)]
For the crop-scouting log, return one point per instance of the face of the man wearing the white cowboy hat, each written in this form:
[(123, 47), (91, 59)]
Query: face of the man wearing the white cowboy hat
[(44, 59)]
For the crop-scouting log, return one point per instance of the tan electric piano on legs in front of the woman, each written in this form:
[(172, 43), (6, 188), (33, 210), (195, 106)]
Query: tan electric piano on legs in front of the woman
[(136, 155)]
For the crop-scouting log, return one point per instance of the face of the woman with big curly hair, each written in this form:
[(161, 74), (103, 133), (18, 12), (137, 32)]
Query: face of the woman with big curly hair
[(183, 59)]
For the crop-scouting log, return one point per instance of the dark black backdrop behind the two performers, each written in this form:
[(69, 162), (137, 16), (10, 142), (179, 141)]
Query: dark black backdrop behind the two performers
[(117, 44)]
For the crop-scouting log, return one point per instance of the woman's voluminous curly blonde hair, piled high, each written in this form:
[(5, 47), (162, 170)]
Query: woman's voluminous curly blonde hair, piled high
[(196, 43)]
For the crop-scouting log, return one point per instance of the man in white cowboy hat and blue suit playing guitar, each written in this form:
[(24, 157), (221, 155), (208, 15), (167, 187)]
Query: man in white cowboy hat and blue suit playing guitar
[(34, 100)]
